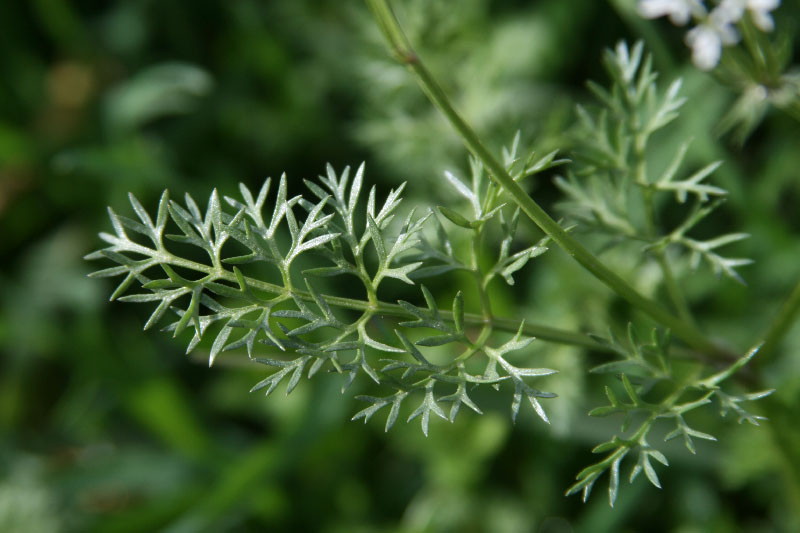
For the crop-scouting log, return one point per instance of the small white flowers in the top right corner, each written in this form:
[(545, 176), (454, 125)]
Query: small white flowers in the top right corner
[(714, 28)]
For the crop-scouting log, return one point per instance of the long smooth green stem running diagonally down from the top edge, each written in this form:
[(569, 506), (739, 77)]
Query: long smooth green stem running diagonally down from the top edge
[(405, 54)]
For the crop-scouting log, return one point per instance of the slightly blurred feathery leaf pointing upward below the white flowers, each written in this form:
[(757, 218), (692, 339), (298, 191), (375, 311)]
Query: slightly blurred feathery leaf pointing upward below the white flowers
[(615, 192)]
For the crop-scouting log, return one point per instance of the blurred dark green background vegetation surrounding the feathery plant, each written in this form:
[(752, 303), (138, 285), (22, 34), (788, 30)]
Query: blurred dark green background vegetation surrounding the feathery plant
[(105, 428)]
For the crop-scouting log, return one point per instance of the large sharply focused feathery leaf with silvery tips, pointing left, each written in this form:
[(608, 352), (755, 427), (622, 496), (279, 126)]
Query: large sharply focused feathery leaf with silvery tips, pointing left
[(215, 295)]
